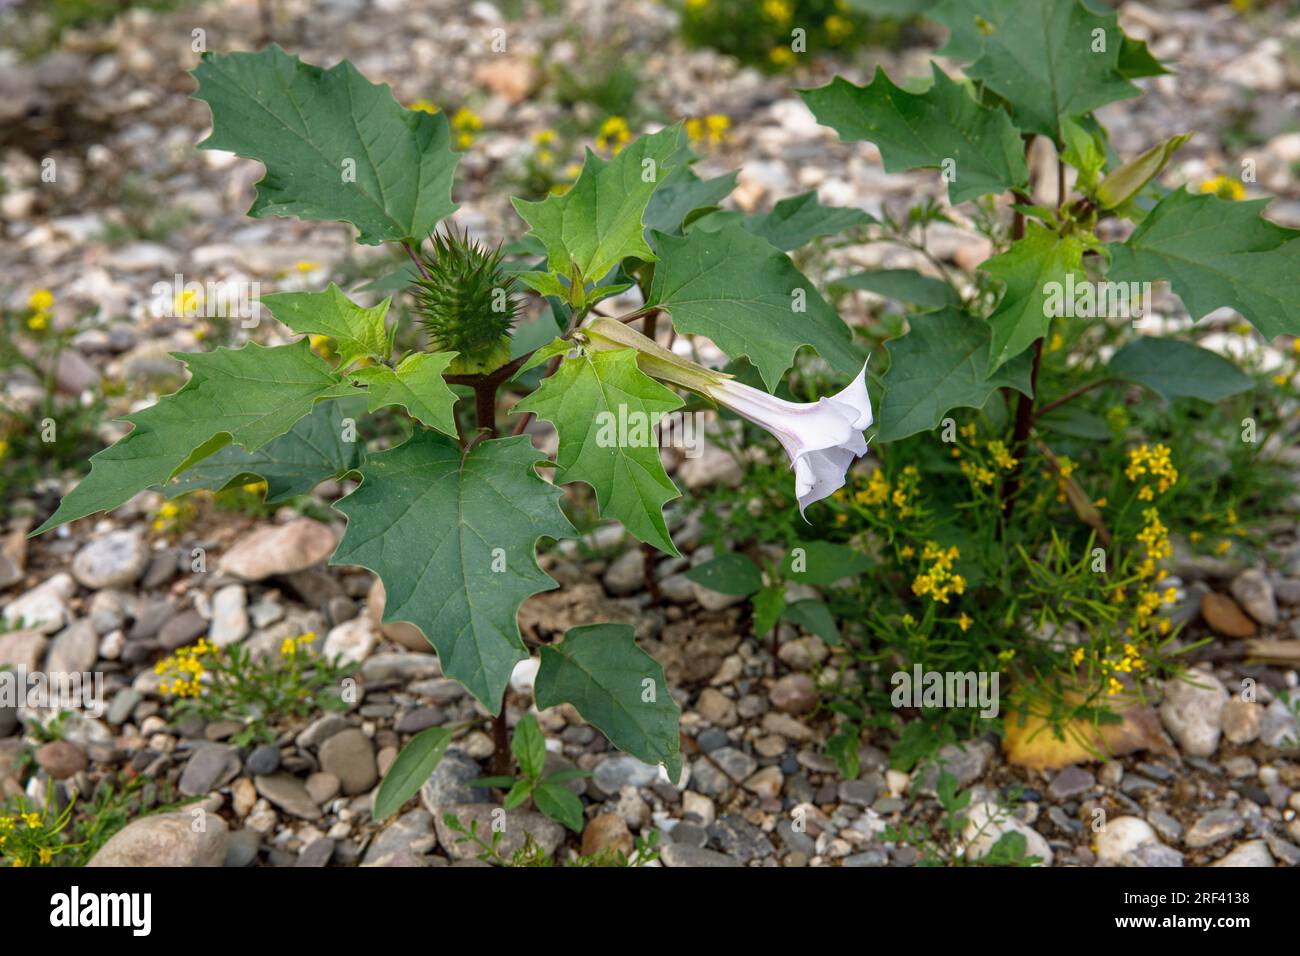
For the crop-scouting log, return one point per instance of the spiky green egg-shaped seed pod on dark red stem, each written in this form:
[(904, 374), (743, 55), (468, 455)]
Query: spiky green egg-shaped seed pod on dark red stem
[(463, 301)]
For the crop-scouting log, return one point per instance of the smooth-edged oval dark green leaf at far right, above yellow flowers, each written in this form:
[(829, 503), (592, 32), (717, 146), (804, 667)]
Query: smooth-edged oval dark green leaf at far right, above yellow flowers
[(1173, 369)]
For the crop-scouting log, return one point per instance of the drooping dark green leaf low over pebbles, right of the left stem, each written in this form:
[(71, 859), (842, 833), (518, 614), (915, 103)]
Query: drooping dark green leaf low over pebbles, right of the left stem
[(616, 686)]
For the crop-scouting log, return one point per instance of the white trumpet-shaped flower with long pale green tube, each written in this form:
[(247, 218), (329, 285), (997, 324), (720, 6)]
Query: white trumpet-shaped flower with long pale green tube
[(822, 438)]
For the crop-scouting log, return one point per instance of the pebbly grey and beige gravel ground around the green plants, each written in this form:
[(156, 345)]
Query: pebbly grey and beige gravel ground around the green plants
[(1215, 785)]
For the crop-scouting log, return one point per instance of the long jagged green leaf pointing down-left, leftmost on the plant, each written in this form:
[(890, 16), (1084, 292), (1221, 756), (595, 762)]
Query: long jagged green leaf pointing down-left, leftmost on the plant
[(245, 396)]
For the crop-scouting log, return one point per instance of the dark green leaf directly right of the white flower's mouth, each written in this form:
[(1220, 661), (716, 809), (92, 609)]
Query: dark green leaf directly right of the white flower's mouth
[(941, 365)]
